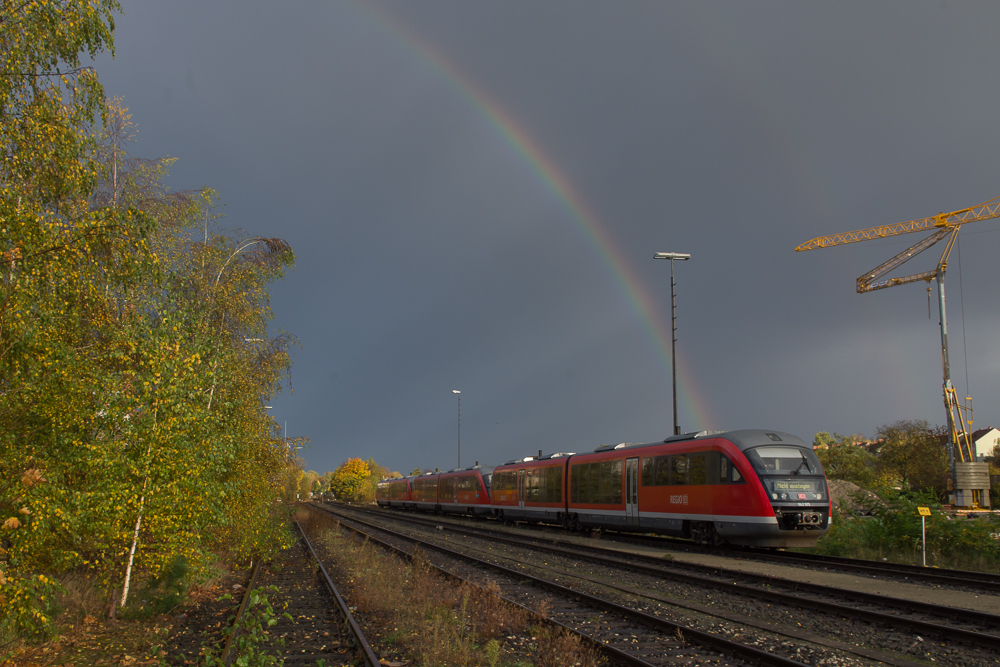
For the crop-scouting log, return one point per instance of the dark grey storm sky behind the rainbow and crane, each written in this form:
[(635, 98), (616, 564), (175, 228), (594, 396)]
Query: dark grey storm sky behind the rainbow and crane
[(475, 192)]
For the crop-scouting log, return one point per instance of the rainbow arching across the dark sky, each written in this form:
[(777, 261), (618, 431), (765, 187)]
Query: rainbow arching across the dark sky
[(690, 399)]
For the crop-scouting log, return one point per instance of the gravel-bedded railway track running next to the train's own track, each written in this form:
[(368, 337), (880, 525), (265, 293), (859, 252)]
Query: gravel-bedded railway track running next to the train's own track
[(920, 630)]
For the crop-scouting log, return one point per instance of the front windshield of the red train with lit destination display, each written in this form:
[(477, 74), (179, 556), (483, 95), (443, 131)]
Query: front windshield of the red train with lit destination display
[(789, 473)]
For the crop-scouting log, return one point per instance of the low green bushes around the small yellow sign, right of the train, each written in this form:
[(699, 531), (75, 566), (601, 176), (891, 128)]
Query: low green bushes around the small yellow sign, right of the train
[(893, 531)]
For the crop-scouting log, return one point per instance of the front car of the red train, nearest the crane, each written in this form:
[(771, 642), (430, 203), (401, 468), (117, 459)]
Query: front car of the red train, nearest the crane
[(754, 488)]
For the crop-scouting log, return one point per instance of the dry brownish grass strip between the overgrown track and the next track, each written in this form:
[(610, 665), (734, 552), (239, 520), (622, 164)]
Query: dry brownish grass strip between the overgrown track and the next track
[(436, 622)]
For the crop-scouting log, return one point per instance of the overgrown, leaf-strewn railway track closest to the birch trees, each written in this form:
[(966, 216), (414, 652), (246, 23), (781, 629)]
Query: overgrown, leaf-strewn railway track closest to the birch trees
[(318, 626)]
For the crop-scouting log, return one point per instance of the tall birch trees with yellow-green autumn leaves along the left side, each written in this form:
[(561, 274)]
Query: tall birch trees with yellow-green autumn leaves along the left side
[(134, 348)]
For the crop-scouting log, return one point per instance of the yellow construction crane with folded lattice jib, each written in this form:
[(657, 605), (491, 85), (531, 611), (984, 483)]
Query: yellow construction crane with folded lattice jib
[(944, 226)]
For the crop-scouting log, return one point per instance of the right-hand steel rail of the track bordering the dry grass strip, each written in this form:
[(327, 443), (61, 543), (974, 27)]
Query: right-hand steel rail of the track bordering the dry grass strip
[(703, 638)]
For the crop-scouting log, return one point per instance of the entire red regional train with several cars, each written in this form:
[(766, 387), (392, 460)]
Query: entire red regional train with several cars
[(752, 487)]
